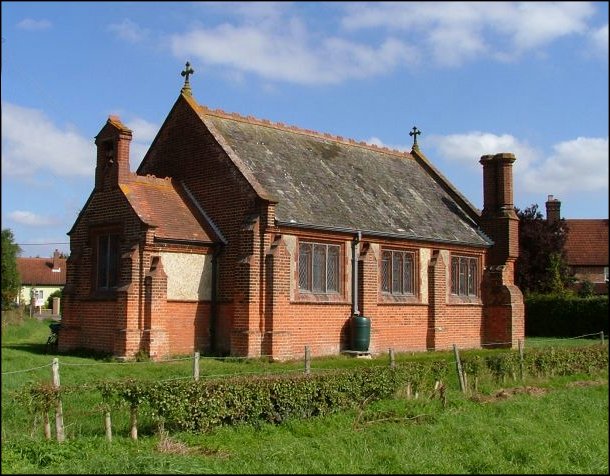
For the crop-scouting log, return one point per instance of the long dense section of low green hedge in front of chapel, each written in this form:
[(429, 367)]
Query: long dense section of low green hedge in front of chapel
[(200, 406)]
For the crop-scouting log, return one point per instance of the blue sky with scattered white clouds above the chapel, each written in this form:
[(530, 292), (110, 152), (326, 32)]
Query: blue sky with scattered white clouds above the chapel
[(476, 78)]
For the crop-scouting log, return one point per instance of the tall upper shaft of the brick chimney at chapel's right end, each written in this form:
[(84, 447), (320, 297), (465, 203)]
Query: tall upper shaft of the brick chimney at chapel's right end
[(498, 218)]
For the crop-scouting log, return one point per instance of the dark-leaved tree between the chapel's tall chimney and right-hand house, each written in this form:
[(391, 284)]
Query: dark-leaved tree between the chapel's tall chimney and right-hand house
[(541, 266)]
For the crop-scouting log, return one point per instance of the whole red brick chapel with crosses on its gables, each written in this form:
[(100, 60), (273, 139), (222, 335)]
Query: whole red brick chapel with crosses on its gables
[(246, 237)]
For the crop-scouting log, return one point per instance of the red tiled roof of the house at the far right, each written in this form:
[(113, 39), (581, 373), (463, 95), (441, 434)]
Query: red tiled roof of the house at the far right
[(587, 242)]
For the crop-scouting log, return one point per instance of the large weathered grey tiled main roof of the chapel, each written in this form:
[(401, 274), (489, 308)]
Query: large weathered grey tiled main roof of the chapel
[(325, 181)]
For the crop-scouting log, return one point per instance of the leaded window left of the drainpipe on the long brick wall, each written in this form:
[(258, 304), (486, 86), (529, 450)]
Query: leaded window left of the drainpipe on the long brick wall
[(319, 268)]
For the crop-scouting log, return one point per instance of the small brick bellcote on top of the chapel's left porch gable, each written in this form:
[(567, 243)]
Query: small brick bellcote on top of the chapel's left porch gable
[(112, 154)]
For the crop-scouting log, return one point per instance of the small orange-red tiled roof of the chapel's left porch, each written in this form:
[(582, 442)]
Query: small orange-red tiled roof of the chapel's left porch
[(165, 205)]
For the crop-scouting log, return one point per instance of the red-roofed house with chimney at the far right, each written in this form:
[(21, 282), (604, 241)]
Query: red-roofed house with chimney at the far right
[(586, 247)]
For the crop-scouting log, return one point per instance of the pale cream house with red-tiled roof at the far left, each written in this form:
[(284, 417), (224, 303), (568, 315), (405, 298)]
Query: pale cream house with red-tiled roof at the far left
[(40, 277)]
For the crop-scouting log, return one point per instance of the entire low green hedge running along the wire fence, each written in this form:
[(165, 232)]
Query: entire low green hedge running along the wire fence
[(198, 406)]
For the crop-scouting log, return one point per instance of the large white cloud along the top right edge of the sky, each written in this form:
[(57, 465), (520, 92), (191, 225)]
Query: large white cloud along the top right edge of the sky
[(454, 32)]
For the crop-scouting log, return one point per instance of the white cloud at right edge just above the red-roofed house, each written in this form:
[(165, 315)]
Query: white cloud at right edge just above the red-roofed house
[(579, 165)]
